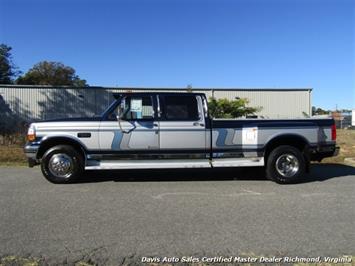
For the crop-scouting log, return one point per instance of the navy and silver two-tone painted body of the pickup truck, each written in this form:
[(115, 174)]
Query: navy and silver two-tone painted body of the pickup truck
[(205, 141)]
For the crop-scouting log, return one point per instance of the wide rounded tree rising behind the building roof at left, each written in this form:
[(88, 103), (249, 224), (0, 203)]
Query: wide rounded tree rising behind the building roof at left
[(51, 73)]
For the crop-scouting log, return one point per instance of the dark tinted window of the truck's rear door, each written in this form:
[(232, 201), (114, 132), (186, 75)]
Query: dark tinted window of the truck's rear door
[(181, 108)]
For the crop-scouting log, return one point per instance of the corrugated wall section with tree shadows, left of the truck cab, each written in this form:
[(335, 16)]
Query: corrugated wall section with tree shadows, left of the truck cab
[(49, 103)]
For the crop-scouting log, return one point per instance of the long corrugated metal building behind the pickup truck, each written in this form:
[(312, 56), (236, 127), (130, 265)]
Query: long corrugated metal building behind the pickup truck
[(47, 102)]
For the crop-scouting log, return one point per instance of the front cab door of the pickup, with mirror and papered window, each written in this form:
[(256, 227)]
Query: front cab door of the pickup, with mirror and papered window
[(137, 130)]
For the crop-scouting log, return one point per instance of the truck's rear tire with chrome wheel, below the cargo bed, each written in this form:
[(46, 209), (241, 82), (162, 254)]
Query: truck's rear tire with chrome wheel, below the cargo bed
[(285, 165)]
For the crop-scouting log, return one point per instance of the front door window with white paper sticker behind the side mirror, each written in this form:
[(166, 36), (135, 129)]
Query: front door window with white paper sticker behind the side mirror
[(136, 108)]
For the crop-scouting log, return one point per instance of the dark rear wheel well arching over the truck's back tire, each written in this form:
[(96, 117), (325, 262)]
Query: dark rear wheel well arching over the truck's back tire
[(291, 140)]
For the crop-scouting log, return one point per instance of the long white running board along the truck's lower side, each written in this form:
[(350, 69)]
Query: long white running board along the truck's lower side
[(160, 164)]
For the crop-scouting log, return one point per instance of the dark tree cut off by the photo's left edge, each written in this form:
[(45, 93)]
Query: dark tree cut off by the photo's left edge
[(8, 71)]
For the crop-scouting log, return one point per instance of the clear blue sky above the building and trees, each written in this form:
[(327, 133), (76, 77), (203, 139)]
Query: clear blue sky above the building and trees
[(202, 43)]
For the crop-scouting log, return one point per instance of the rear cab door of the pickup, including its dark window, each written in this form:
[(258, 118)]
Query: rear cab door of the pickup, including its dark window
[(182, 126)]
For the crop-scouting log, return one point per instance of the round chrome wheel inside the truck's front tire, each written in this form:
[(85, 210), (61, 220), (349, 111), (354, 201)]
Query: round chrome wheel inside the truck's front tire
[(61, 165)]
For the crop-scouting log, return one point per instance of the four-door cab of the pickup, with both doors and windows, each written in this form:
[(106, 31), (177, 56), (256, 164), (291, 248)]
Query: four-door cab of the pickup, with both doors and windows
[(163, 124)]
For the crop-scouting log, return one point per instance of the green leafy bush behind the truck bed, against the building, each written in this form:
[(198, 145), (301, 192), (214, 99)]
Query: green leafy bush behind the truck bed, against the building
[(224, 108)]
